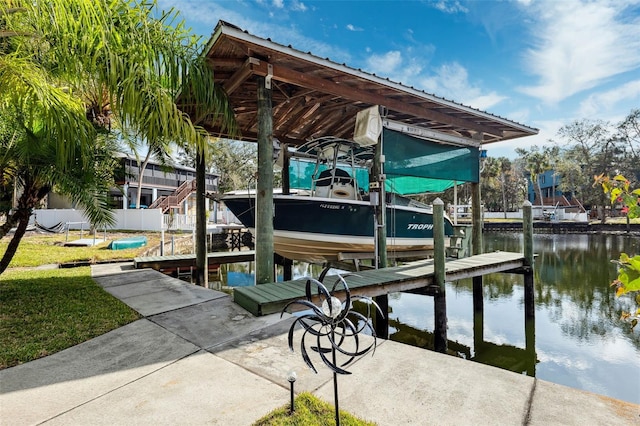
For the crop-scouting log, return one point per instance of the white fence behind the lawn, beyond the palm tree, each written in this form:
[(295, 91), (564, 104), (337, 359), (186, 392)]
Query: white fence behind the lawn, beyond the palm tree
[(129, 219)]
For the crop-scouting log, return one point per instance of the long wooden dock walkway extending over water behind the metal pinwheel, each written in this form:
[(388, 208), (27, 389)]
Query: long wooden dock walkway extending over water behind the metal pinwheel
[(270, 298)]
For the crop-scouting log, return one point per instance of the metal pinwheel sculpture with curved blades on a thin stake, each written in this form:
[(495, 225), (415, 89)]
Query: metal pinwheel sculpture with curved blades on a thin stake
[(332, 327)]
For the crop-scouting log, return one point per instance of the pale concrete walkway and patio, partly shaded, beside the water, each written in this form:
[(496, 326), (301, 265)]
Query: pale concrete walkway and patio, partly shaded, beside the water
[(197, 358)]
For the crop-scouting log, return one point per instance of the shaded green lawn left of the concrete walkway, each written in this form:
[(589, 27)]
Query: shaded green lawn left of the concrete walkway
[(46, 311)]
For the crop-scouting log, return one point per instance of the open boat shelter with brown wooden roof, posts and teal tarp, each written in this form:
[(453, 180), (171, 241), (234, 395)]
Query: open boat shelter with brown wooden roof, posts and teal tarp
[(280, 93)]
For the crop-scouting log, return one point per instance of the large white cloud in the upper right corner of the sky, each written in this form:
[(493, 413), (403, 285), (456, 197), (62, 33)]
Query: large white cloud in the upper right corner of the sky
[(579, 45)]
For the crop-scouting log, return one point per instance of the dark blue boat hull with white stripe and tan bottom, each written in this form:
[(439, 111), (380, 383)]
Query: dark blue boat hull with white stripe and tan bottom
[(316, 229)]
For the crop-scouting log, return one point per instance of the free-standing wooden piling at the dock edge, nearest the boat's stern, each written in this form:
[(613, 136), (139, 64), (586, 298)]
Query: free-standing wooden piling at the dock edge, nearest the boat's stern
[(439, 299)]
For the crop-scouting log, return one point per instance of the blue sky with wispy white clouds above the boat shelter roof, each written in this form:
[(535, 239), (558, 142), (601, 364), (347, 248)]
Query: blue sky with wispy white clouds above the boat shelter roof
[(542, 63)]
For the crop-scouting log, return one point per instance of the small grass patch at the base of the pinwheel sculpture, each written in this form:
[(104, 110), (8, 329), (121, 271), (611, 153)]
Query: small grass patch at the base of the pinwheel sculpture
[(309, 411)]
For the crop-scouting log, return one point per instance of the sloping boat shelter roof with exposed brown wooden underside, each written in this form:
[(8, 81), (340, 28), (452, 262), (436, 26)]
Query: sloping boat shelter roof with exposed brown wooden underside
[(314, 97)]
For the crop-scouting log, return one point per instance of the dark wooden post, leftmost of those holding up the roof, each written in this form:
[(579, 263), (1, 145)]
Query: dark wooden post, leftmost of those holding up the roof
[(202, 271)]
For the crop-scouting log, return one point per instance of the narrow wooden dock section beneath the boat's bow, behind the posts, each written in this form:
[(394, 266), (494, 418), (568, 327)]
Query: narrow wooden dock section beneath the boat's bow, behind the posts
[(160, 263)]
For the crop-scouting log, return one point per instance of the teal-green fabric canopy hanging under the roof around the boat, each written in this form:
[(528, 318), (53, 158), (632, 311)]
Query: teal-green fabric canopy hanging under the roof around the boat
[(412, 166)]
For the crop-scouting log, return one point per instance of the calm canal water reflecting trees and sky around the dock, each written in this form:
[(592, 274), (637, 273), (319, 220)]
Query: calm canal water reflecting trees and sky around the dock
[(577, 340)]
